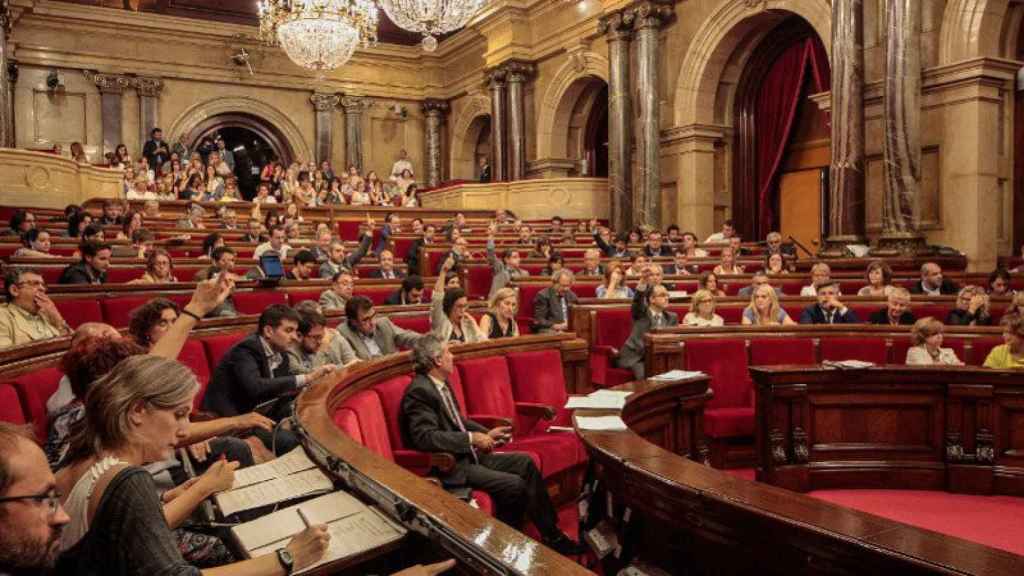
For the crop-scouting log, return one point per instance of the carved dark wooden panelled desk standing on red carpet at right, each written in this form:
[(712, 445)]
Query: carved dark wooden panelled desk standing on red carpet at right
[(960, 430)]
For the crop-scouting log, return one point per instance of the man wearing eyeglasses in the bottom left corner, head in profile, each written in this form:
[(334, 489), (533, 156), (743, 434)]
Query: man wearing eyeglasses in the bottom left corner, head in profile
[(31, 516)]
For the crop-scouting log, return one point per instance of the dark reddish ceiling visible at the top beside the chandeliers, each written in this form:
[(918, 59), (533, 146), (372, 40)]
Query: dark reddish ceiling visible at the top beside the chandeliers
[(236, 12)]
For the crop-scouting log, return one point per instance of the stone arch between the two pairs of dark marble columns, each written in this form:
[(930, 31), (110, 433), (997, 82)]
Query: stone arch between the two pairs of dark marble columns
[(569, 84)]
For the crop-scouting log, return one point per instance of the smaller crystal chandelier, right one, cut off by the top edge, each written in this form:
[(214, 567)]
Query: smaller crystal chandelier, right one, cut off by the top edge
[(432, 18)]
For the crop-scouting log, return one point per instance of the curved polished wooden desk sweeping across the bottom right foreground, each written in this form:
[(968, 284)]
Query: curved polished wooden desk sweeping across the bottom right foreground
[(694, 519)]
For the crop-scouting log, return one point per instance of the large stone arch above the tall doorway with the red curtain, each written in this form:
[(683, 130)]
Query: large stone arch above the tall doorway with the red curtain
[(727, 36)]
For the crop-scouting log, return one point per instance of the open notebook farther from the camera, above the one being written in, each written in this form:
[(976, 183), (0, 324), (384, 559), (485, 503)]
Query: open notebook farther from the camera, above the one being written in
[(287, 478)]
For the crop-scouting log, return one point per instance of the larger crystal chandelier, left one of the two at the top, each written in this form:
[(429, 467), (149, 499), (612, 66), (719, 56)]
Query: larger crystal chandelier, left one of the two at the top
[(319, 35)]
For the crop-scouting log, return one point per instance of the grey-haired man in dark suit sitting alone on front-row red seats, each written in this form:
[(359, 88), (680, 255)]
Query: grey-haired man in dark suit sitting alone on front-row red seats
[(432, 422)]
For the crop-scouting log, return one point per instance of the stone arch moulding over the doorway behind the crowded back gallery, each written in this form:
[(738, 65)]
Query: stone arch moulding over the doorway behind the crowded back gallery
[(197, 118)]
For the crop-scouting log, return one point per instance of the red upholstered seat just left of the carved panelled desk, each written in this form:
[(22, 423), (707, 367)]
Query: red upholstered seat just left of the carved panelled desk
[(732, 409)]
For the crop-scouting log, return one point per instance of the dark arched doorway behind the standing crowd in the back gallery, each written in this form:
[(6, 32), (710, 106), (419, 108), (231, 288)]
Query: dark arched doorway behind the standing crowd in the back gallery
[(253, 142)]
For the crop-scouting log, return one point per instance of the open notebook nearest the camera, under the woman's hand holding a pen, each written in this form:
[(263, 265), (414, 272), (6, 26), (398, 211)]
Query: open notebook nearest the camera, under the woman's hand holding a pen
[(355, 528)]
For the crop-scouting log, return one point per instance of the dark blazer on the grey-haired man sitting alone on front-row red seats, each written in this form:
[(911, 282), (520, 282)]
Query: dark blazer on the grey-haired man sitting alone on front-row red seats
[(426, 427)]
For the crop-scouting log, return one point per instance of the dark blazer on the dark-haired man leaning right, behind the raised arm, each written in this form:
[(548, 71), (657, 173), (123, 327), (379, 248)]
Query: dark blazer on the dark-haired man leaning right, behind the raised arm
[(243, 380)]
